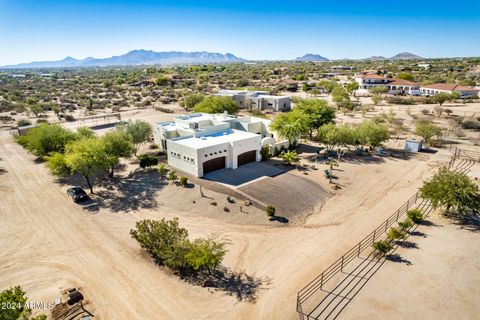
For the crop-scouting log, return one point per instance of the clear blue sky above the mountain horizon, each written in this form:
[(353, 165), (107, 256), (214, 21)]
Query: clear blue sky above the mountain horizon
[(51, 30)]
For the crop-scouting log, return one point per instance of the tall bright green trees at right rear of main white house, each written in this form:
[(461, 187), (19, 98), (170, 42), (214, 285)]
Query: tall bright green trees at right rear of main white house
[(303, 120)]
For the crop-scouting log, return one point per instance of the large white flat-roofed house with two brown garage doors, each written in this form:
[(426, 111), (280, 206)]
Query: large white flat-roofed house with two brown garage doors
[(200, 143)]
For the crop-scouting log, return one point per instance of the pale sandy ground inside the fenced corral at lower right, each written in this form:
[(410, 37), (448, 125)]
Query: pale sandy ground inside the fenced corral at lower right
[(428, 284)]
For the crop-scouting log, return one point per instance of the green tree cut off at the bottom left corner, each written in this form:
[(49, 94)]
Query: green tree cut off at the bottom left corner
[(14, 305)]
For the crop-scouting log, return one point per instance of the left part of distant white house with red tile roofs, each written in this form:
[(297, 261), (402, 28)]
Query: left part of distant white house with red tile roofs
[(394, 86)]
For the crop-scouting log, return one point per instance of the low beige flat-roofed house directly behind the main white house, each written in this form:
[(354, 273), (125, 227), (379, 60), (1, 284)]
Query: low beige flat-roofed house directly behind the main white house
[(259, 100)]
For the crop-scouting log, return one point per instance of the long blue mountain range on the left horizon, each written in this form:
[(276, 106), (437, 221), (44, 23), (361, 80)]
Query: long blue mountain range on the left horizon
[(136, 57)]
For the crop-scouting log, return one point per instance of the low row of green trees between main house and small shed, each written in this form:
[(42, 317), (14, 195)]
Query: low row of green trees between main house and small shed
[(368, 133)]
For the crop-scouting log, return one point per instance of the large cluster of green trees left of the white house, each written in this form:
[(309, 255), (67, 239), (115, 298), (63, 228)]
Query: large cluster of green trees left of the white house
[(82, 152)]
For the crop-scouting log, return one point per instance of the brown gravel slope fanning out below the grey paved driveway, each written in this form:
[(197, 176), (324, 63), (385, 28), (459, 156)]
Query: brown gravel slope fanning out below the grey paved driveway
[(292, 195)]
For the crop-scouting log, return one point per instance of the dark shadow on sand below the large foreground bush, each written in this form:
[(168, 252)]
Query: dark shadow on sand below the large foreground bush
[(239, 284)]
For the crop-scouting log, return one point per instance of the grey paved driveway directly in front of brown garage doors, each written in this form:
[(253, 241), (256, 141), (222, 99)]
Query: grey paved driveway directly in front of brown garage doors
[(243, 174)]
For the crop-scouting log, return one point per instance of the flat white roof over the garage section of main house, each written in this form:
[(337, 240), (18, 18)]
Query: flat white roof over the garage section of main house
[(216, 138)]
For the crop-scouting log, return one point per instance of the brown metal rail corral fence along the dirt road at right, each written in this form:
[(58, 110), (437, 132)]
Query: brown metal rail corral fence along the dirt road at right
[(461, 161)]
